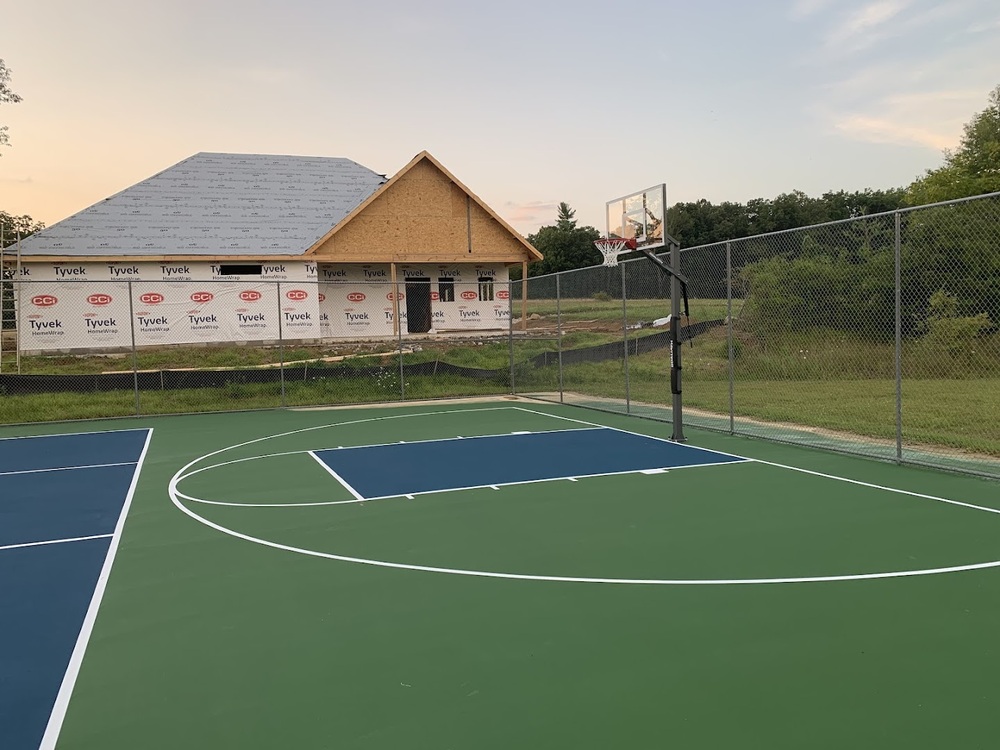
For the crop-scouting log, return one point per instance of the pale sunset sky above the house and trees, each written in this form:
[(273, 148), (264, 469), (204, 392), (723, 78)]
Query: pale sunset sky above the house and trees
[(528, 103)]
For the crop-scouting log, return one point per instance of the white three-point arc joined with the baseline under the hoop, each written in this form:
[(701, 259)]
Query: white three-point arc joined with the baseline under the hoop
[(179, 476)]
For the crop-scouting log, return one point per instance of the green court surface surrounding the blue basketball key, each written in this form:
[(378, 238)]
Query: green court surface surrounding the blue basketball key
[(801, 599)]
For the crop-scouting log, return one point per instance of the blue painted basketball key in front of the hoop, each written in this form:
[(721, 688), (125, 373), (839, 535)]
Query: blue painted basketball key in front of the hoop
[(402, 469)]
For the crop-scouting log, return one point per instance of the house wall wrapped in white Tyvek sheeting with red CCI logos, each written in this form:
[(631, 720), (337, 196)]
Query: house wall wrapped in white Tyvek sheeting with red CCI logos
[(89, 306)]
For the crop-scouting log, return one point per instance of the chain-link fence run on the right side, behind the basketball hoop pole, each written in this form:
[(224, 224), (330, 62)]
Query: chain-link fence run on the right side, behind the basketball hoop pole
[(876, 336)]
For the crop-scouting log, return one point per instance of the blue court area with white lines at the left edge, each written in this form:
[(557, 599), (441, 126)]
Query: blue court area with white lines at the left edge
[(62, 501)]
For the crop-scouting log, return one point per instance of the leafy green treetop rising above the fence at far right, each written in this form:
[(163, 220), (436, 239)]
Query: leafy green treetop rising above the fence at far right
[(973, 168)]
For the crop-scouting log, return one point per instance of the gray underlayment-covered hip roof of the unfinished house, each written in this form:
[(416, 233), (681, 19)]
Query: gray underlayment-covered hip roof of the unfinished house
[(217, 204)]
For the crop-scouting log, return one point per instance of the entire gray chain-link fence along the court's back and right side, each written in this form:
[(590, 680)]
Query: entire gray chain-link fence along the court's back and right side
[(876, 336)]
